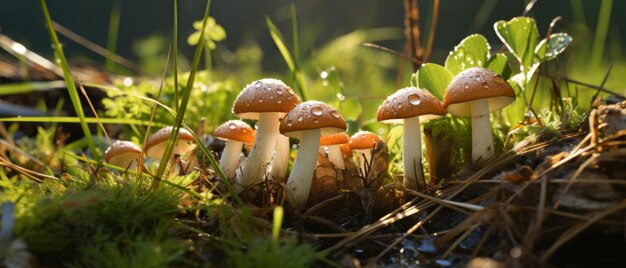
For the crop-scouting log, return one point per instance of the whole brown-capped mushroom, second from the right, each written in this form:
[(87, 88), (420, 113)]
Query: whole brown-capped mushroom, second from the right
[(406, 106)]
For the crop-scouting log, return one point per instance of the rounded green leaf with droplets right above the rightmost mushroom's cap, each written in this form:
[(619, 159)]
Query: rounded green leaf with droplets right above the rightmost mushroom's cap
[(473, 51)]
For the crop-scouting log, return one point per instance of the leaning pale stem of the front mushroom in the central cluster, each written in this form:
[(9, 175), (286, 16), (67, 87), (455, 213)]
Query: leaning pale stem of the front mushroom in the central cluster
[(299, 182)]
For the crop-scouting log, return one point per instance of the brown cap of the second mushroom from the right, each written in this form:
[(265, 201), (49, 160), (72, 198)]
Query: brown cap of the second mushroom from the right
[(409, 102)]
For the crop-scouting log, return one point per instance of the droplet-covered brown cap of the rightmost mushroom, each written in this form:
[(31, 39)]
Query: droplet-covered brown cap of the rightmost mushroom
[(474, 84)]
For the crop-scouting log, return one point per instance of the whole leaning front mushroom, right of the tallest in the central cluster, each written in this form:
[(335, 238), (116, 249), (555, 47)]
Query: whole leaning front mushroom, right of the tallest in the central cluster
[(308, 122)]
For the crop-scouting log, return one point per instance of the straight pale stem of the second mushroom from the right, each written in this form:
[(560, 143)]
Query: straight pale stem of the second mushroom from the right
[(412, 154)]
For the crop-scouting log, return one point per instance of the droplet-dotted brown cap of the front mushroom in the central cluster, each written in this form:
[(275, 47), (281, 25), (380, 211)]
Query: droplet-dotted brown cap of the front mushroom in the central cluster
[(312, 115)]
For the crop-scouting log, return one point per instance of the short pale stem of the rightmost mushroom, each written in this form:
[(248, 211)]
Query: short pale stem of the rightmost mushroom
[(482, 140)]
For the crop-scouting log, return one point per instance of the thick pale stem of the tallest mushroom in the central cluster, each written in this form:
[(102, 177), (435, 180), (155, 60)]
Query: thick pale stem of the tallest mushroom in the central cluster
[(261, 153)]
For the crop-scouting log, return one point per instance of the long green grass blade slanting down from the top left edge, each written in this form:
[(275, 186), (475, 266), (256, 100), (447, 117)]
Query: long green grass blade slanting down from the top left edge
[(69, 81)]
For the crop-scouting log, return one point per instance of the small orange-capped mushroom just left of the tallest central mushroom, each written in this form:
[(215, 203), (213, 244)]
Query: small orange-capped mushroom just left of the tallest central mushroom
[(235, 133)]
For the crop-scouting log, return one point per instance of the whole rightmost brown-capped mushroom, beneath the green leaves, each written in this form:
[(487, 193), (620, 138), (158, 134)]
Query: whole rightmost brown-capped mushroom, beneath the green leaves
[(476, 92)]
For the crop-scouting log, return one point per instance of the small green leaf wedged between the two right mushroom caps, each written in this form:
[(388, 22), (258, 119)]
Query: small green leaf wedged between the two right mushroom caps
[(434, 78)]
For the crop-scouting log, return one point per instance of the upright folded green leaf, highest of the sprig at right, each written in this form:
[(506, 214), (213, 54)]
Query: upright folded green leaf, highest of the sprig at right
[(520, 36)]
